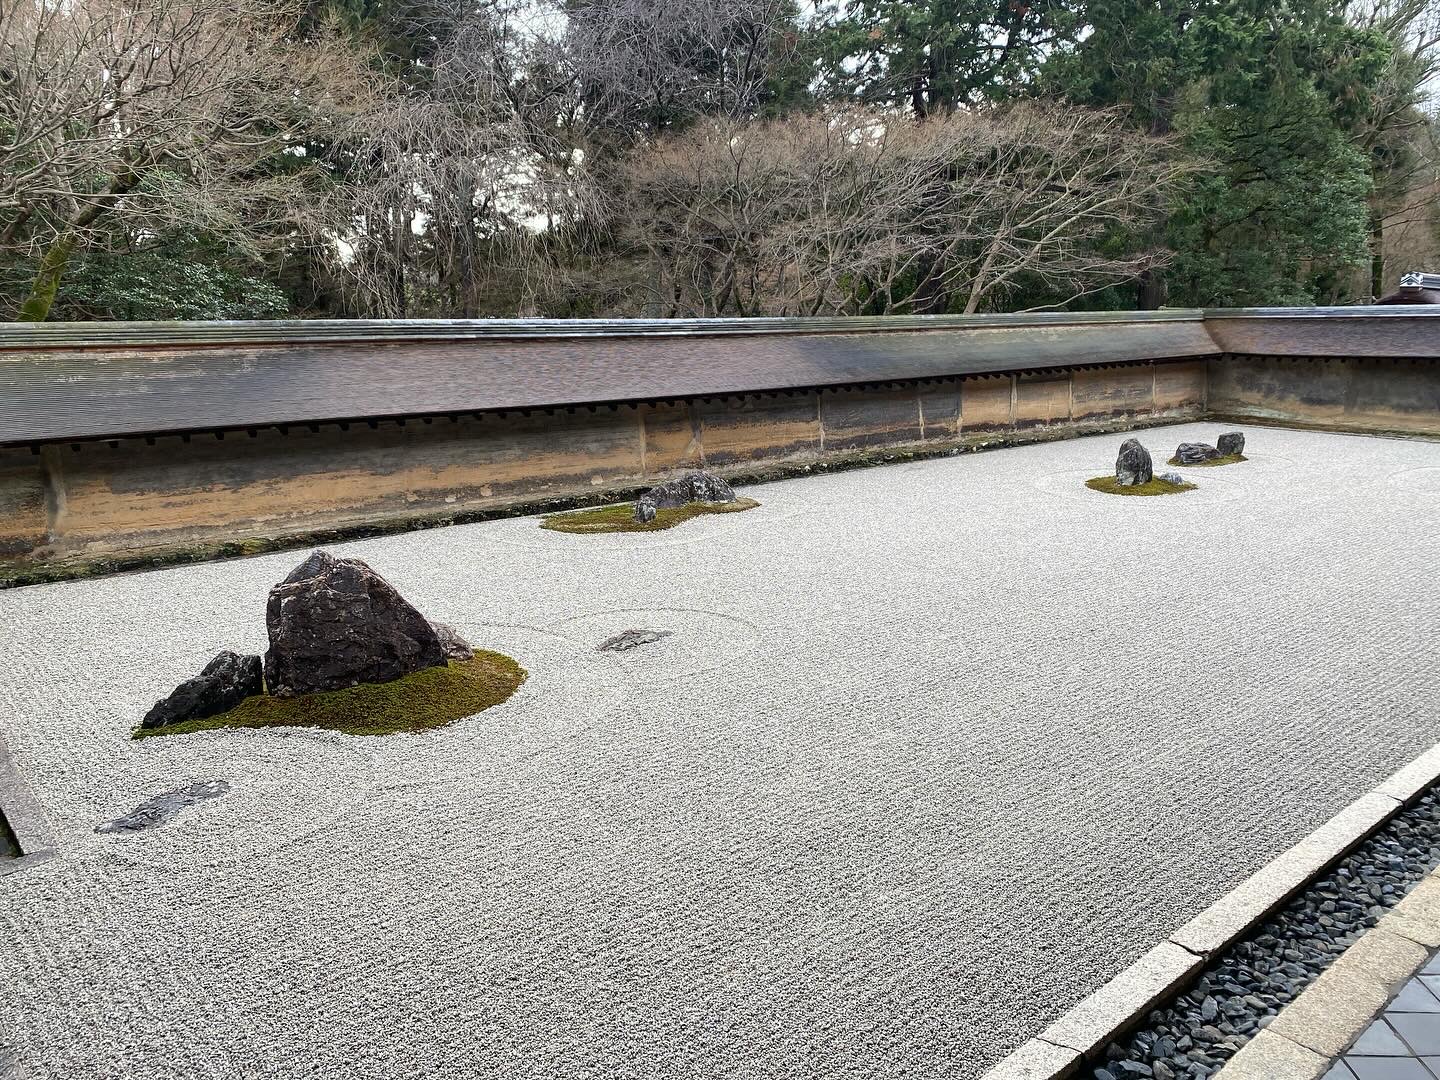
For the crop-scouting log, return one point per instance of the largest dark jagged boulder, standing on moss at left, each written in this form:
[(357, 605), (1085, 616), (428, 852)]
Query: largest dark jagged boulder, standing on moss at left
[(336, 623)]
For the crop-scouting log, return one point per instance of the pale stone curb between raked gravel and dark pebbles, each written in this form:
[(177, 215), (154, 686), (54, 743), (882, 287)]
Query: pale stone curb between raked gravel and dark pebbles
[(1063, 1049)]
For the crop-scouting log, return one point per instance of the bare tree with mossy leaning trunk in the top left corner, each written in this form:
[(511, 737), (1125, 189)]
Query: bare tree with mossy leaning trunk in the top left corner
[(159, 112)]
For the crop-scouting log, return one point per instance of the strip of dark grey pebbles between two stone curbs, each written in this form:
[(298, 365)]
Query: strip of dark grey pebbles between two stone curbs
[(1242, 993)]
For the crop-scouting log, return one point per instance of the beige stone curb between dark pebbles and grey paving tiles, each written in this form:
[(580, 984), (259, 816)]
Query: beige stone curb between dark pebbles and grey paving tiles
[(1334, 1010)]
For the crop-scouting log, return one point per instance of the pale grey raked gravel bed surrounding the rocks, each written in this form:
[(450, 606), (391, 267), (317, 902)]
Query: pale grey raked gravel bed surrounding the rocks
[(931, 752)]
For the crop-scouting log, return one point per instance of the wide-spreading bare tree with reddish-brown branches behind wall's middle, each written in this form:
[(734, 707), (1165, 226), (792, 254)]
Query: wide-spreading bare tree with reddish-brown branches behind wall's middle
[(860, 212)]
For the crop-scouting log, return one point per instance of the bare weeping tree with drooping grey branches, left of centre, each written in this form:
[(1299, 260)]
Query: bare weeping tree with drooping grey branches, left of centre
[(476, 175)]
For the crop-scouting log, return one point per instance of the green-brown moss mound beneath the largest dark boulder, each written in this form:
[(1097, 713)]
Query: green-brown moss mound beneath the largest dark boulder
[(420, 702)]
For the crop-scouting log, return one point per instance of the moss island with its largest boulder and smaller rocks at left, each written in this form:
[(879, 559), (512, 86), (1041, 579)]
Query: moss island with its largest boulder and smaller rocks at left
[(346, 653)]
